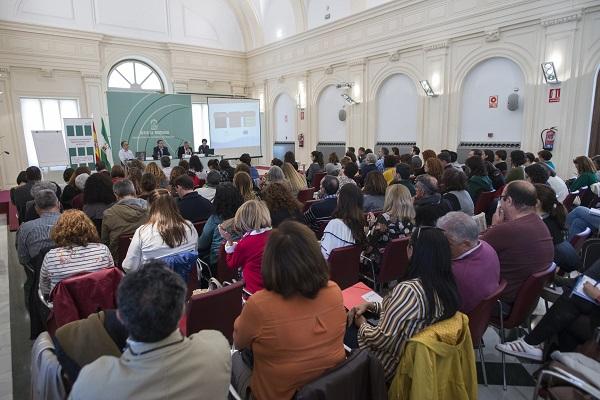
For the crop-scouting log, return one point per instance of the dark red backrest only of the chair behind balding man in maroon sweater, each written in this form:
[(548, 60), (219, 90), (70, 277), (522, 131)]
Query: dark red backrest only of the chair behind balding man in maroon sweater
[(528, 296)]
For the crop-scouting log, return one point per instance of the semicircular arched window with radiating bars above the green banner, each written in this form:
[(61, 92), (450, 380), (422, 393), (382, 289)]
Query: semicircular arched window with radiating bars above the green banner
[(134, 75)]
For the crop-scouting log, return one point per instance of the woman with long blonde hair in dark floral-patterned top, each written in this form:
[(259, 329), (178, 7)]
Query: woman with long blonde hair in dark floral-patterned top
[(396, 220)]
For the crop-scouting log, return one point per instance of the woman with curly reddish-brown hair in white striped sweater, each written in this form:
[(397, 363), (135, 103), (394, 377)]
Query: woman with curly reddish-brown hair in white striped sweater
[(78, 250)]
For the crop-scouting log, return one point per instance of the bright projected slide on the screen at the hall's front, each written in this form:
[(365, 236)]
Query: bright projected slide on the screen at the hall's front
[(234, 126)]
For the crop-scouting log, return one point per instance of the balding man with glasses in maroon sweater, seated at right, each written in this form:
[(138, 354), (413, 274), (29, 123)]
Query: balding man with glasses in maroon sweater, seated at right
[(520, 238)]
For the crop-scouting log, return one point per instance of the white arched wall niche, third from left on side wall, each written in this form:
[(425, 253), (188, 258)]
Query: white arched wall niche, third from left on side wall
[(397, 110)]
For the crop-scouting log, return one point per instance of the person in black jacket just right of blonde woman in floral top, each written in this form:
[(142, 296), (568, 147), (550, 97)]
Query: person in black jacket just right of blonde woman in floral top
[(429, 205)]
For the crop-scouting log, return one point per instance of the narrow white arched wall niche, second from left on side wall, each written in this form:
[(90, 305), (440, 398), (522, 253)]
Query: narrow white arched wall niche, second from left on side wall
[(331, 129)]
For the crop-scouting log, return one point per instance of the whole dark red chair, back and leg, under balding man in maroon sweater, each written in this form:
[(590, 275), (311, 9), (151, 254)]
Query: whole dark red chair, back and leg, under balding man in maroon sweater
[(526, 300)]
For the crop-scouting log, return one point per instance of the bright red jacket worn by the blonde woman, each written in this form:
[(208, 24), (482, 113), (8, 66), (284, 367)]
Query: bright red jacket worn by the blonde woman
[(248, 255)]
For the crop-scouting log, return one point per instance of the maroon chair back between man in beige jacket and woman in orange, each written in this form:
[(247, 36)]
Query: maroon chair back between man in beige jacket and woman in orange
[(216, 310)]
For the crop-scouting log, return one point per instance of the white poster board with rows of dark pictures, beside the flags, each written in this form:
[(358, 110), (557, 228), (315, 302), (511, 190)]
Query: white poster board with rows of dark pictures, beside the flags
[(80, 142)]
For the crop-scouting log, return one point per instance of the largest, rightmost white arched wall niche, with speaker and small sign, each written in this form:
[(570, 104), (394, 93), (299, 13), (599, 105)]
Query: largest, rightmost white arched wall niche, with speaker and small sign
[(493, 77)]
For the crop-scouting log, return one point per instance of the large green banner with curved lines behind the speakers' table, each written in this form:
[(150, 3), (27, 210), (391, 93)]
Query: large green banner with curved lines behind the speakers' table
[(144, 118)]
